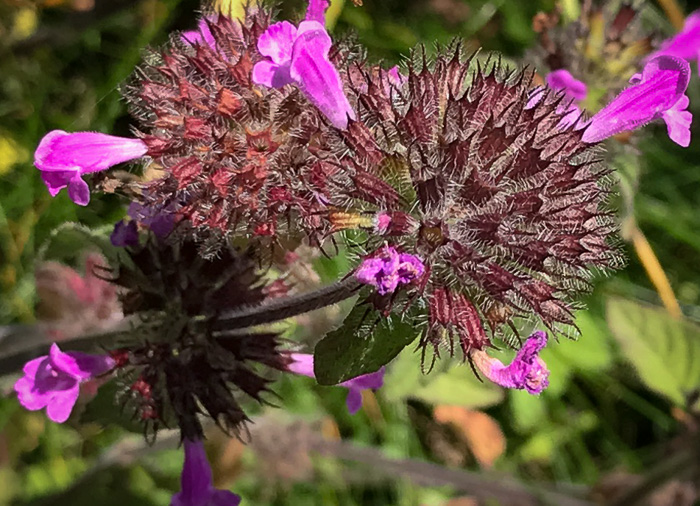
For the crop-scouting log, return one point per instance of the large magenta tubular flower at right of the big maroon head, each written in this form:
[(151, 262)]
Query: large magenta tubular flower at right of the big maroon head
[(658, 92)]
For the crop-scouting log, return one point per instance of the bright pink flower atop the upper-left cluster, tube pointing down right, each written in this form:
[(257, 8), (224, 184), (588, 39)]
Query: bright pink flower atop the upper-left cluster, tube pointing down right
[(299, 55)]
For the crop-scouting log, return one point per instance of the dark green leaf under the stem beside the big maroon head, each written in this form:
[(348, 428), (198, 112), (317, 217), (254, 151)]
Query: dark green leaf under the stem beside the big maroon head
[(364, 342)]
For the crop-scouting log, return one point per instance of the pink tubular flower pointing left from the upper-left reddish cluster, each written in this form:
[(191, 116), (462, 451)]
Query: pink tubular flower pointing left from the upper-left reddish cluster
[(63, 158)]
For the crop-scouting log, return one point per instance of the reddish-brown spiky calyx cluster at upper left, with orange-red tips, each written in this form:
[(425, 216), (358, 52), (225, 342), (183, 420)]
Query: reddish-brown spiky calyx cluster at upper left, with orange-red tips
[(237, 159)]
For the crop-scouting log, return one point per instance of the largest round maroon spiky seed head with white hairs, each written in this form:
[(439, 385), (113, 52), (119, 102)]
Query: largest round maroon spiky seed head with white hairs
[(507, 209)]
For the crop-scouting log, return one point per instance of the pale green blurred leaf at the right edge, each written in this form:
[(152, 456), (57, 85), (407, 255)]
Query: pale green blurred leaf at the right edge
[(664, 351)]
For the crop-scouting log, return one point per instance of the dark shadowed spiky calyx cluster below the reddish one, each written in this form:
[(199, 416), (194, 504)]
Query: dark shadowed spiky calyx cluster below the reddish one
[(175, 365)]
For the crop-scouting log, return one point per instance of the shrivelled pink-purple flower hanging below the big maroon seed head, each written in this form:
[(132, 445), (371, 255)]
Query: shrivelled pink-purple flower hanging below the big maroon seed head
[(527, 370)]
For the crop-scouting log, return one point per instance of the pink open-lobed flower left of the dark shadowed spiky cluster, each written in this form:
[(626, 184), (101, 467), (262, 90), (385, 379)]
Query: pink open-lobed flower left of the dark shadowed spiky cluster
[(53, 381)]
